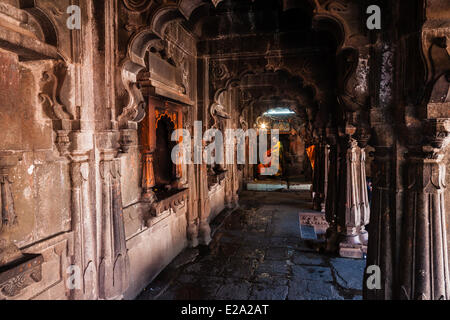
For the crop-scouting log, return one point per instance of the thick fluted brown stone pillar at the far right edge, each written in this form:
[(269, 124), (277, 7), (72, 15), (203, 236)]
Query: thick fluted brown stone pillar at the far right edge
[(424, 259)]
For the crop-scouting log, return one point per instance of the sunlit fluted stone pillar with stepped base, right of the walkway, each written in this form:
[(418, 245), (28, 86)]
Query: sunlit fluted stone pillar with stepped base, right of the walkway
[(349, 210)]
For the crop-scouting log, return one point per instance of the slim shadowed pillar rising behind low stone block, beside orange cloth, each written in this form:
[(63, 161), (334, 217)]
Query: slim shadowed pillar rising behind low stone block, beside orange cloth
[(320, 175)]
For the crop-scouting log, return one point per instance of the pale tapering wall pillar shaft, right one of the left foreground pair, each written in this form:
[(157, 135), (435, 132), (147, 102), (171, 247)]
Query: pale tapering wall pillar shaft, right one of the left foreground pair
[(113, 256)]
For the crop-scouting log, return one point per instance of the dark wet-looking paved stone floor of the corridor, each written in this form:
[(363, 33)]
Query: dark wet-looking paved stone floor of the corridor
[(257, 254)]
